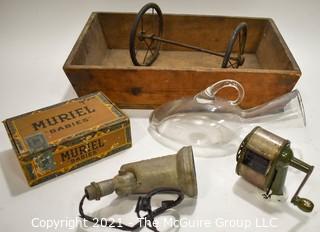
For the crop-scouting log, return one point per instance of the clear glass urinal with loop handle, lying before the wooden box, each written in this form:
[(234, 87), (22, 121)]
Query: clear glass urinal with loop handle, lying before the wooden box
[(212, 125)]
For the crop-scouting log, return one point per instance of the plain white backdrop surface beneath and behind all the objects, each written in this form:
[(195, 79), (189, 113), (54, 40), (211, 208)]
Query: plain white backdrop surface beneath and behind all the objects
[(35, 40)]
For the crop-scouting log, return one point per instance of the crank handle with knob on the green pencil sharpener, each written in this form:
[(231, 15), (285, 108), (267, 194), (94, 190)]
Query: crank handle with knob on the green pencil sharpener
[(304, 204)]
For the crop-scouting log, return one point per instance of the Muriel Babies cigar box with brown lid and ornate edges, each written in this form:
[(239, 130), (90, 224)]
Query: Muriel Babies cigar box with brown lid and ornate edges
[(55, 140)]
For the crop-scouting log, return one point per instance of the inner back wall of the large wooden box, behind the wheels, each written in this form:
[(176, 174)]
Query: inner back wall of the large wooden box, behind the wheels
[(211, 32)]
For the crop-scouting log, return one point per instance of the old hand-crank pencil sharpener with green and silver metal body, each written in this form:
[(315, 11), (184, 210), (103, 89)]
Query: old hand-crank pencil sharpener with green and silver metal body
[(263, 159)]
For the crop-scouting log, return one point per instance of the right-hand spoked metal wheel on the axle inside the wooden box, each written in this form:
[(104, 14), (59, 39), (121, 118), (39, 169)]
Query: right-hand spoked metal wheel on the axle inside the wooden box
[(237, 42)]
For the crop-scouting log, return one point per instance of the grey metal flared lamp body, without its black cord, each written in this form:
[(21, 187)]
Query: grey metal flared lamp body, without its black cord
[(173, 171)]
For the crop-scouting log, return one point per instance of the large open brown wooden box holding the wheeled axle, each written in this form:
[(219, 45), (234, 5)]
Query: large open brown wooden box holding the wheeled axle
[(100, 60)]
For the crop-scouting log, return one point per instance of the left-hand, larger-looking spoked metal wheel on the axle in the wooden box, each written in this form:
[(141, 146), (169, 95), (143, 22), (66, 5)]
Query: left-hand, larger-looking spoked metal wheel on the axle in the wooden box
[(149, 21)]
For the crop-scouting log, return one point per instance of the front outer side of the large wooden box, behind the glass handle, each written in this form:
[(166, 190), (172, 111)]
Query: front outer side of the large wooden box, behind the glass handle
[(150, 88)]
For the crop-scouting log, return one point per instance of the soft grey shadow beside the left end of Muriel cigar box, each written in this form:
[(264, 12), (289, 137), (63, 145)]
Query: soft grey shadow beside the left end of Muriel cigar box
[(12, 172)]
